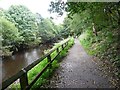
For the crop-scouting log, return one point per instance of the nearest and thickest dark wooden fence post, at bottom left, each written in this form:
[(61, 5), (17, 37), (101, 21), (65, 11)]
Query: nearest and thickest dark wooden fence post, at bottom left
[(24, 80)]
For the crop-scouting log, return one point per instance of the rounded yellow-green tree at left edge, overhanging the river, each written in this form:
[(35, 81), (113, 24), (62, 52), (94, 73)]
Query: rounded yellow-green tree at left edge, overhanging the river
[(9, 33)]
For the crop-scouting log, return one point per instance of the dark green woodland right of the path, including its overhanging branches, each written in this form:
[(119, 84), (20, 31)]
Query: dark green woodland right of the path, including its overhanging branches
[(97, 24)]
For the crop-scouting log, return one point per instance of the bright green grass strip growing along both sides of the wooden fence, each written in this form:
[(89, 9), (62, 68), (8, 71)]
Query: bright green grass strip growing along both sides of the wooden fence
[(49, 72)]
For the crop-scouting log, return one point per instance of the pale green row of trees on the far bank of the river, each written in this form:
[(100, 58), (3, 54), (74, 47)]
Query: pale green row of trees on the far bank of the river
[(20, 29)]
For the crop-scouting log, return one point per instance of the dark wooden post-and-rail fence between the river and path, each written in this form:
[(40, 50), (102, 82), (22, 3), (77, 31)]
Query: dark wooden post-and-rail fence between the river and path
[(22, 74)]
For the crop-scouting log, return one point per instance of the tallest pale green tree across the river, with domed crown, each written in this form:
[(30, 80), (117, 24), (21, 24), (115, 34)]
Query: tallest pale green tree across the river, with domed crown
[(25, 21)]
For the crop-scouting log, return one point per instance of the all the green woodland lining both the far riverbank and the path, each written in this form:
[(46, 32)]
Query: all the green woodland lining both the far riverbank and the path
[(96, 24)]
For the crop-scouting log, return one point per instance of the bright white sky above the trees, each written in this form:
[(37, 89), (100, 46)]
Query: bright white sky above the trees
[(39, 6)]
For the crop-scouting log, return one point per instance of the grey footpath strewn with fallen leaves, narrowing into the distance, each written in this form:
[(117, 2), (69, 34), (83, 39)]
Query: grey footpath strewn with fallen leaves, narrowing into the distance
[(79, 70)]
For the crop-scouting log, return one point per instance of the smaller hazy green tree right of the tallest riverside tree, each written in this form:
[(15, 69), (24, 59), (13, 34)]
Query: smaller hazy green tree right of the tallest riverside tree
[(47, 30)]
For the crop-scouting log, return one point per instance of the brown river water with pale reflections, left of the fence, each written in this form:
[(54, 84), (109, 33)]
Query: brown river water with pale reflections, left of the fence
[(9, 66)]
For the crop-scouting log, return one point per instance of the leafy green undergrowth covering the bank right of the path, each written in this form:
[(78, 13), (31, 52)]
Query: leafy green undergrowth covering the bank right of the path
[(104, 46)]
